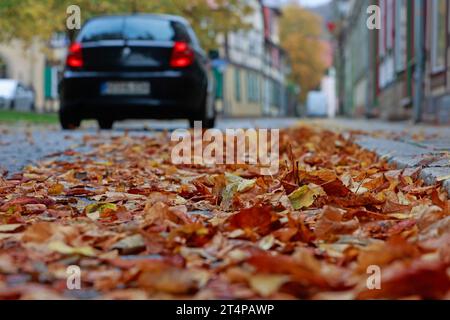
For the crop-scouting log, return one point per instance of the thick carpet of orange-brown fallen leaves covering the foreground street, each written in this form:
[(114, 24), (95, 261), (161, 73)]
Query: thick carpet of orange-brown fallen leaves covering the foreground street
[(139, 227)]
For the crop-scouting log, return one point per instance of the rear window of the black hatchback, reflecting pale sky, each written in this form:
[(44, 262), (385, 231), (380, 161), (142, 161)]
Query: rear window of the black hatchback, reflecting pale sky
[(133, 28)]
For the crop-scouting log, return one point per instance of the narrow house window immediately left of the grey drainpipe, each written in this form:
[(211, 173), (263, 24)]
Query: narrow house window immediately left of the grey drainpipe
[(401, 16)]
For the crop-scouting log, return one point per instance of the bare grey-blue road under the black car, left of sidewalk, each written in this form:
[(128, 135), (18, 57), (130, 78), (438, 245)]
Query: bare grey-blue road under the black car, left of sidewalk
[(22, 145)]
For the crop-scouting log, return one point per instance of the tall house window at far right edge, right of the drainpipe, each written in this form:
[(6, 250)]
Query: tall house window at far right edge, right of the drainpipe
[(438, 35)]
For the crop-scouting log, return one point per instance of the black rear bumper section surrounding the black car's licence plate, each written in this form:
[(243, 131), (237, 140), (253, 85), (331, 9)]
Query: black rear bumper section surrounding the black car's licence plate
[(174, 94)]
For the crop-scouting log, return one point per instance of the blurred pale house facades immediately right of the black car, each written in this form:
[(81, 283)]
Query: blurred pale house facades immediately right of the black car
[(254, 66)]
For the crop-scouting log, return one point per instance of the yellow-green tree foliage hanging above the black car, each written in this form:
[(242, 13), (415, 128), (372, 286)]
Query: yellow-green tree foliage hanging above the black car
[(28, 19)]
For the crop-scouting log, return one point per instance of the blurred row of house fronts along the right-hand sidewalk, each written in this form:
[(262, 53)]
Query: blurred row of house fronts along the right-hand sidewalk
[(401, 68)]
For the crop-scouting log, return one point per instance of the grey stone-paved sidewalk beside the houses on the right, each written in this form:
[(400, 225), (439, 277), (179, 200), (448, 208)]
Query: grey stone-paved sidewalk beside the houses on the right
[(405, 145)]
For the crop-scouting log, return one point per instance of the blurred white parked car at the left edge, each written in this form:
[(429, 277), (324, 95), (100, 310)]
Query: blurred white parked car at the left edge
[(15, 95)]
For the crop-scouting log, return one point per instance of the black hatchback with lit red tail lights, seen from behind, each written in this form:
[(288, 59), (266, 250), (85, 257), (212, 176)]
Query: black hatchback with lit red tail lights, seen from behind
[(136, 67)]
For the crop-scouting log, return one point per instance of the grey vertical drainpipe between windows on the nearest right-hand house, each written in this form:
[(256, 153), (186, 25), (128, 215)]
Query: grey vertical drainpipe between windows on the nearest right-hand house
[(419, 9)]
